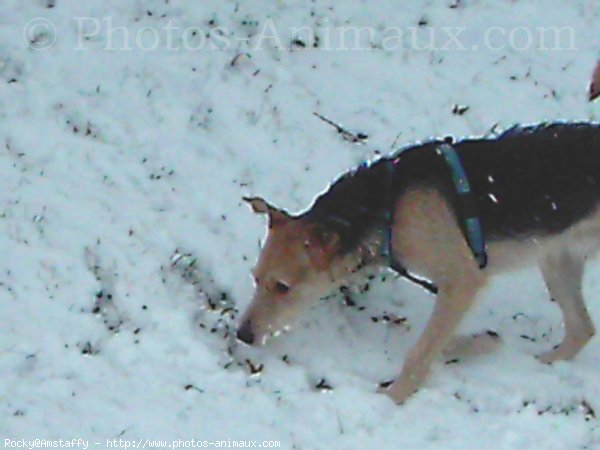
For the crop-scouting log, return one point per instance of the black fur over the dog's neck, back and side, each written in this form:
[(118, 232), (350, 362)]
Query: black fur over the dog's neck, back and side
[(532, 180)]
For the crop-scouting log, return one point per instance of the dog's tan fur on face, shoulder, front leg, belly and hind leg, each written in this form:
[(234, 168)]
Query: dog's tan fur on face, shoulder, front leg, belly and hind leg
[(428, 241)]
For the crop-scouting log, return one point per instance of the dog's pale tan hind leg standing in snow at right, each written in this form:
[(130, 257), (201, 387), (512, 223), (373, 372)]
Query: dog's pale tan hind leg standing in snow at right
[(563, 271)]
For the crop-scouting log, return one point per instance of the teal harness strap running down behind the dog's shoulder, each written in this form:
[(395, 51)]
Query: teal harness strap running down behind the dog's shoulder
[(467, 205)]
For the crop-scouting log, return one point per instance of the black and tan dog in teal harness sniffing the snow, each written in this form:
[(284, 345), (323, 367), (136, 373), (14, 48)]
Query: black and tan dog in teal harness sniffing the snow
[(447, 215)]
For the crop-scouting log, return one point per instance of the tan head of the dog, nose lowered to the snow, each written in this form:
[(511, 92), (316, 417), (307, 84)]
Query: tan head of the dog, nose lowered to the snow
[(293, 272)]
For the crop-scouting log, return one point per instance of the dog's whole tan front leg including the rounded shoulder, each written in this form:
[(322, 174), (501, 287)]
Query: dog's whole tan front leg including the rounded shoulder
[(428, 240)]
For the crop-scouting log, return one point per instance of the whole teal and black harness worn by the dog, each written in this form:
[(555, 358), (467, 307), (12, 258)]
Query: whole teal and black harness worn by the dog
[(466, 211)]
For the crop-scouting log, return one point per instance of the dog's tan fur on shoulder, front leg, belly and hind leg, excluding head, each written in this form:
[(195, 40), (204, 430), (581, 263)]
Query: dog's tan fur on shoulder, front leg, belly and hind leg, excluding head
[(428, 240)]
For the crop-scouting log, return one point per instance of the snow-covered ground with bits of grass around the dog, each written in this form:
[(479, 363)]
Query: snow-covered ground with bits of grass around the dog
[(135, 134)]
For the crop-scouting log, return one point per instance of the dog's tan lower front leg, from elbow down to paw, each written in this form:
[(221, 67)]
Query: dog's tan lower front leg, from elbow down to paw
[(451, 305)]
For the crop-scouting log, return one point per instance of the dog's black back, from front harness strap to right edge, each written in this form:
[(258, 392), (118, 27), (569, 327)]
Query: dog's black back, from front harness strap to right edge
[(536, 180)]
